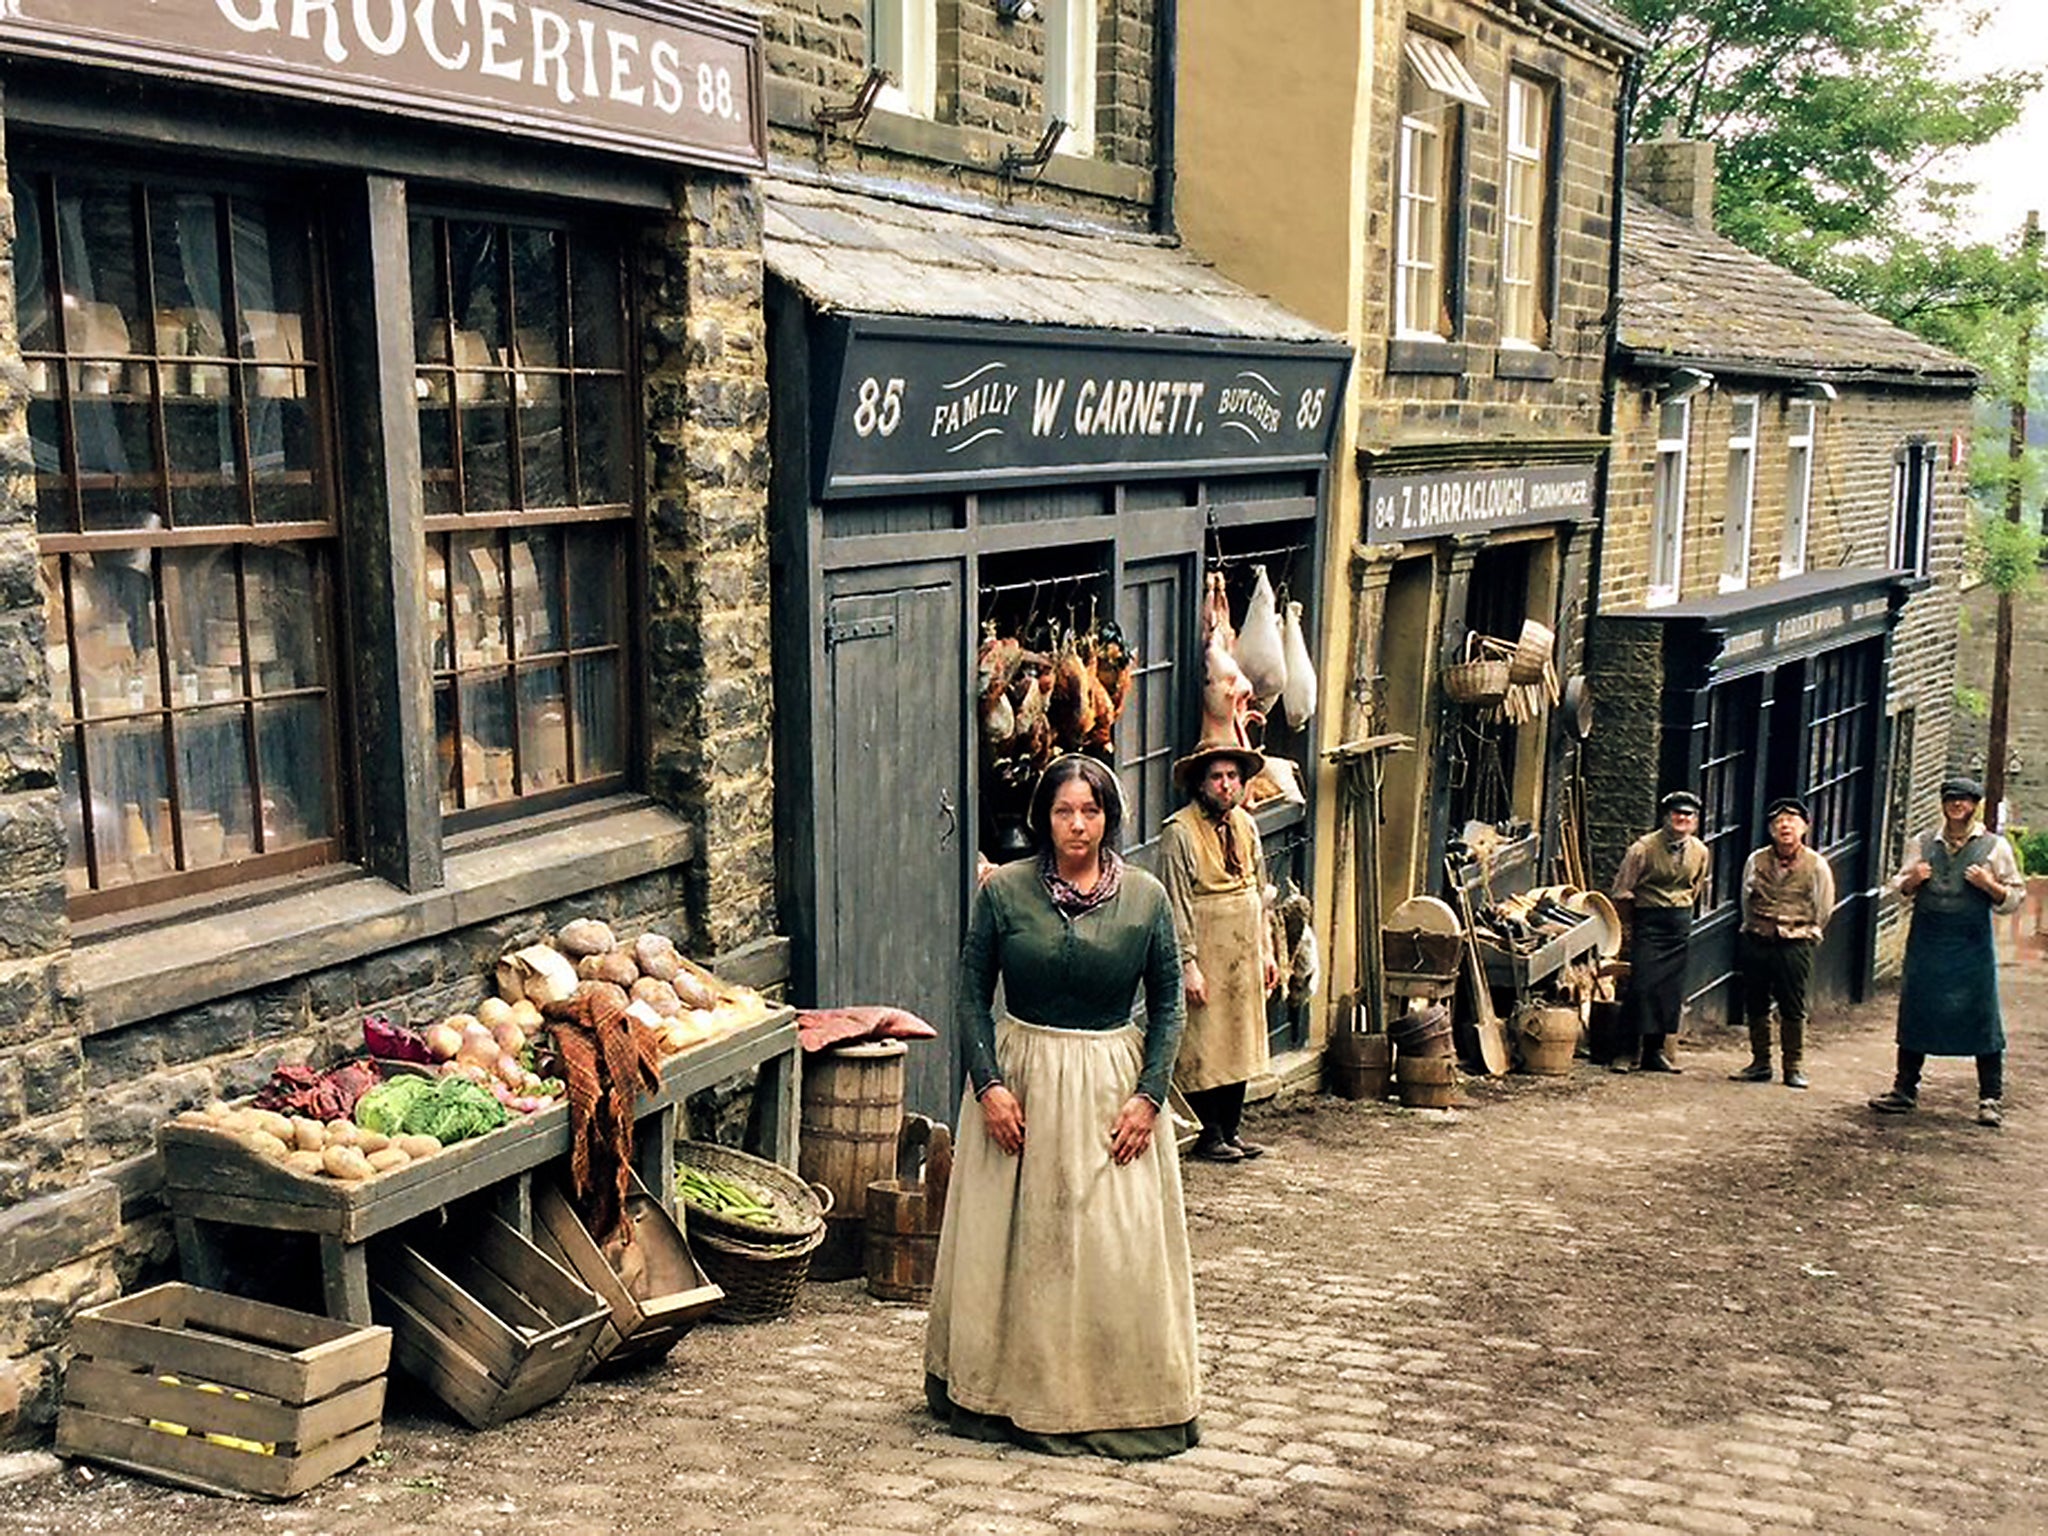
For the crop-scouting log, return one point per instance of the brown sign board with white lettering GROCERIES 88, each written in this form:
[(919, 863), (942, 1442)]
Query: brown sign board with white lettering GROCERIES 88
[(648, 77)]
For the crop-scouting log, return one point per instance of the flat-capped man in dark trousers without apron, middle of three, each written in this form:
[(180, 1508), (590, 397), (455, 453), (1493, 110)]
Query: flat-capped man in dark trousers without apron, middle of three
[(1789, 894)]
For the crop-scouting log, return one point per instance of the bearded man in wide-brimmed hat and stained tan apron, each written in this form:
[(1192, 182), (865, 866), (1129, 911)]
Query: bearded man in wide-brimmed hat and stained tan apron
[(1215, 880)]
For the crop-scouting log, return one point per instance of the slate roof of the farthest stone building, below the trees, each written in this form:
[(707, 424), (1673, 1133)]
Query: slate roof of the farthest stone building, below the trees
[(1697, 298)]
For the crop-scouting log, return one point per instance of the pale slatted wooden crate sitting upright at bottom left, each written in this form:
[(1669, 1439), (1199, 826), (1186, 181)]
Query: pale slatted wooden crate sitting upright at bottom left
[(304, 1385)]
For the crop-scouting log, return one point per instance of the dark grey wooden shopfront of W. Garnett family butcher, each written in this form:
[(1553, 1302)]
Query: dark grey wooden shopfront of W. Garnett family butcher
[(904, 589)]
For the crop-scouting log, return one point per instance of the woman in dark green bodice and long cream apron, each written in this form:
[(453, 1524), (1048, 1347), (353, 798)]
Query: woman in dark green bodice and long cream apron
[(1064, 1302)]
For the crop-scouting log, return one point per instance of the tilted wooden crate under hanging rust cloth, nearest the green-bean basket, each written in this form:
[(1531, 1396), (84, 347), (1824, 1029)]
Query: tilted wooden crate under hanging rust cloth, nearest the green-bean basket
[(660, 1308)]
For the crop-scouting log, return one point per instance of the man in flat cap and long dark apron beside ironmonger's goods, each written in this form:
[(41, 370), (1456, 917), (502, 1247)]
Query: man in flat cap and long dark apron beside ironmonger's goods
[(1656, 892)]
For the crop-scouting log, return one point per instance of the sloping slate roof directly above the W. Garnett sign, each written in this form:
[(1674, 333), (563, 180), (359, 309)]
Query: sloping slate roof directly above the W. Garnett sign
[(869, 255)]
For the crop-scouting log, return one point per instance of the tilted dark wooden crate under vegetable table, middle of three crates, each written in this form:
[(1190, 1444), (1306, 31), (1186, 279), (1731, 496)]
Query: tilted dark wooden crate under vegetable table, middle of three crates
[(484, 1318)]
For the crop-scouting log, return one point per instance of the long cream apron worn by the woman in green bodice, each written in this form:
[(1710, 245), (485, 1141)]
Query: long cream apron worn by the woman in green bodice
[(1064, 1297)]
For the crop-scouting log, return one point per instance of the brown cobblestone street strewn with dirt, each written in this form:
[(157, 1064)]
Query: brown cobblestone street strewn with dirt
[(1611, 1306)]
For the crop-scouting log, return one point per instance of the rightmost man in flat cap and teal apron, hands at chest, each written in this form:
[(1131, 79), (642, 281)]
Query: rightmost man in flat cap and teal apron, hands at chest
[(1949, 1000)]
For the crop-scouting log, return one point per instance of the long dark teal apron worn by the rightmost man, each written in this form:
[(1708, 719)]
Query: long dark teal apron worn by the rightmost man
[(1949, 996)]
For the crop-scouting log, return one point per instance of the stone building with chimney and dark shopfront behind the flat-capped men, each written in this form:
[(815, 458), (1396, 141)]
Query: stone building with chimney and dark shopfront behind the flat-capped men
[(1779, 568)]
